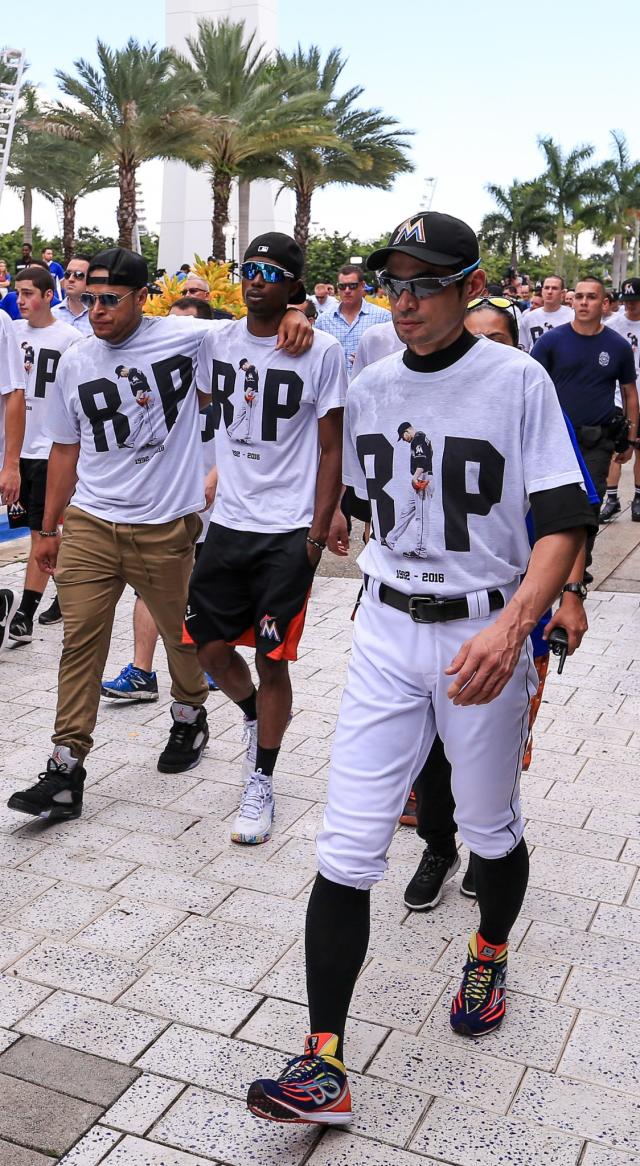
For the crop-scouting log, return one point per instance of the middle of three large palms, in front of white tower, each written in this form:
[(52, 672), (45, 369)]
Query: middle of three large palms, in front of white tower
[(257, 113)]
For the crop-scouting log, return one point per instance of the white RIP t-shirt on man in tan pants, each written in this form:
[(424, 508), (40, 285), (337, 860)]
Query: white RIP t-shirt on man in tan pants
[(135, 410)]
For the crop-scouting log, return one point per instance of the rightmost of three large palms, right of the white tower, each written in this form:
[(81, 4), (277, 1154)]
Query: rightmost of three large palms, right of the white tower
[(369, 151)]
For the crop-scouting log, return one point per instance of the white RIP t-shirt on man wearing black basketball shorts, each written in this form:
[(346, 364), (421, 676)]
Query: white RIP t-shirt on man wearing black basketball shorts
[(266, 408)]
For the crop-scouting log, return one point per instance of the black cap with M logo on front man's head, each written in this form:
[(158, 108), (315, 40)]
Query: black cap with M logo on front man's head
[(432, 237)]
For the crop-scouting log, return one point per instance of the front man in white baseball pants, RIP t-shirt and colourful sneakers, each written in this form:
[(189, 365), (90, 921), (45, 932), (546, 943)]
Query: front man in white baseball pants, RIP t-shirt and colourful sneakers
[(441, 637)]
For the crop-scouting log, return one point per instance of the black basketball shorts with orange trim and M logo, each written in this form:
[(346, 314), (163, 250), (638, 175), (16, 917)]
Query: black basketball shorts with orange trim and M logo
[(251, 589)]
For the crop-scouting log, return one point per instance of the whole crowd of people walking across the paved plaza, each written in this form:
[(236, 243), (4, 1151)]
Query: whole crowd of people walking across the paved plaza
[(209, 463)]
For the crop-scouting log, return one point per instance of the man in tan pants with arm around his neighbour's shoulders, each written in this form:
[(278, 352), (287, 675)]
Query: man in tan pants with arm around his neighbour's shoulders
[(132, 461)]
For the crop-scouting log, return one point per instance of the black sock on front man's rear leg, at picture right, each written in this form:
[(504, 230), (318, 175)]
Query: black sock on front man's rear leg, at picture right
[(501, 887)]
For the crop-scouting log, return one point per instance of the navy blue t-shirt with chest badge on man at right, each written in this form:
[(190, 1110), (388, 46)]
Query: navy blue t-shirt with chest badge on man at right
[(585, 370)]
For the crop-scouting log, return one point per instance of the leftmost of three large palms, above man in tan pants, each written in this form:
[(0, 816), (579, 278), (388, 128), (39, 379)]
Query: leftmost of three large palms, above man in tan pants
[(135, 107)]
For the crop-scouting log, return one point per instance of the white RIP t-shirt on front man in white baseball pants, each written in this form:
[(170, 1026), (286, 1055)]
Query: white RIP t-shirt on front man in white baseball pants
[(448, 461)]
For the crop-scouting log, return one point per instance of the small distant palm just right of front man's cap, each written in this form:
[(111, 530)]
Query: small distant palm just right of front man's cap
[(521, 219)]
